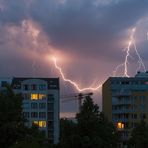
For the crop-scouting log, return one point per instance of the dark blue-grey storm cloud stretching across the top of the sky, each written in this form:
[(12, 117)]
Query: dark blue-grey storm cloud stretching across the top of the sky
[(79, 25)]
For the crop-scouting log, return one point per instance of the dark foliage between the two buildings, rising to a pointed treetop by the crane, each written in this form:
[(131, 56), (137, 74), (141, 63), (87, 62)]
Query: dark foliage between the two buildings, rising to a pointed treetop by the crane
[(92, 129)]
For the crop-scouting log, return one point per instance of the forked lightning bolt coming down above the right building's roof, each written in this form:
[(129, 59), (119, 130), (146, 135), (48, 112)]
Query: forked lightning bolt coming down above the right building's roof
[(127, 56)]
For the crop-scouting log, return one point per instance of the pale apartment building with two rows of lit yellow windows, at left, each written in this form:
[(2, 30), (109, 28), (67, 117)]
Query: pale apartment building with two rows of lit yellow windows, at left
[(40, 103)]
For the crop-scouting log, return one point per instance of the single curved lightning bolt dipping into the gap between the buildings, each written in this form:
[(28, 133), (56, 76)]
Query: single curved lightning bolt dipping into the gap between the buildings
[(72, 82)]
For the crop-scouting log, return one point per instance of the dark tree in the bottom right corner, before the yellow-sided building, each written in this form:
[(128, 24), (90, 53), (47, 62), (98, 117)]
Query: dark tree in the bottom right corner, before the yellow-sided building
[(139, 136)]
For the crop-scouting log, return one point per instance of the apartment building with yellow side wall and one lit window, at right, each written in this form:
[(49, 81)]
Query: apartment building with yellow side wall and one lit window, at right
[(125, 102)]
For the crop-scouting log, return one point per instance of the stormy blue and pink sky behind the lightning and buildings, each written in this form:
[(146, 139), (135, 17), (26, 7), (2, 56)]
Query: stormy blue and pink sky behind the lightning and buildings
[(88, 37)]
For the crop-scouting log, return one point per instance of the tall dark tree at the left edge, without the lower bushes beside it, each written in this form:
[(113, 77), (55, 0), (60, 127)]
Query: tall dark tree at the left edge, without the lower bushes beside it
[(10, 117)]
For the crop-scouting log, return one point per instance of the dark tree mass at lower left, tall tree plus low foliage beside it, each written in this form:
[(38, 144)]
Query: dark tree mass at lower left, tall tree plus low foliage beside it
[(13, 133)]
